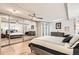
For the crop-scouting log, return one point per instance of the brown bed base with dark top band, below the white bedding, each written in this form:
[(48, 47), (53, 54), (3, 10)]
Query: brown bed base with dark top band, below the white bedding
[(41, 50)]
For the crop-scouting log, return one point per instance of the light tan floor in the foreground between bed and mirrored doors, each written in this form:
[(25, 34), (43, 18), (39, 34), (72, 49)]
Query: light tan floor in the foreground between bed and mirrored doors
[(17, 49)]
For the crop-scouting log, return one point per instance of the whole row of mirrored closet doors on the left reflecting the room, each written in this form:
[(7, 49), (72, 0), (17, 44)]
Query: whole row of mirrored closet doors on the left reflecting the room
[(15, 30)]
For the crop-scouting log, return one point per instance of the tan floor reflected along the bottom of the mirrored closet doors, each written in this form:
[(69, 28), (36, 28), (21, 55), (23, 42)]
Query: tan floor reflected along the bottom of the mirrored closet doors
[(5, 41)]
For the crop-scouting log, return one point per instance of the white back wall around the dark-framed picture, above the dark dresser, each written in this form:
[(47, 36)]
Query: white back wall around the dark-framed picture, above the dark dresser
[(67, 26)]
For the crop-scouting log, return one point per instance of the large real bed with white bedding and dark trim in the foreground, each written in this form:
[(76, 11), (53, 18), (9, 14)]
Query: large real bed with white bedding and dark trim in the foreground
[(49, 45)]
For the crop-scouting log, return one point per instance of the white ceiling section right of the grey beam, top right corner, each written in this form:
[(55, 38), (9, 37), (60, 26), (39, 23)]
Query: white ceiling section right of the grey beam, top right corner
[(73, 9)]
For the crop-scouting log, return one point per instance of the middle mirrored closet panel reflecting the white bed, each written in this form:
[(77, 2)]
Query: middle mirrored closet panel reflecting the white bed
[(16, 30)]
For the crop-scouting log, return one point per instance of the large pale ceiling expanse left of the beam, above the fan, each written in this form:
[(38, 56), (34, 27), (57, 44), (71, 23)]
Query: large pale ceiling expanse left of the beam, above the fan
[(48, 11)]
